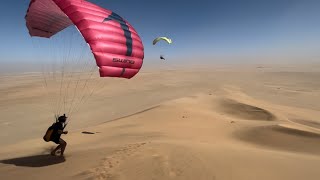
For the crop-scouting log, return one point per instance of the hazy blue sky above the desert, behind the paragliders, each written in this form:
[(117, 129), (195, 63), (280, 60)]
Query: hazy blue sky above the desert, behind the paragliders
[(201, 28)]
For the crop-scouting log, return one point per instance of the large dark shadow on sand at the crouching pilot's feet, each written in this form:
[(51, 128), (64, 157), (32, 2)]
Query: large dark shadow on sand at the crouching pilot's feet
[(35, 161)]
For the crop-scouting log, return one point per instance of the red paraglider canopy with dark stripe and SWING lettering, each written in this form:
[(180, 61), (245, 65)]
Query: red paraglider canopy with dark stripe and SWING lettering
[(115, 44)]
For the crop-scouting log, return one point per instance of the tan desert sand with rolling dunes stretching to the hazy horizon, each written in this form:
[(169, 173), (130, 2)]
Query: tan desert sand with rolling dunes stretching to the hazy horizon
[(205, 123)]
